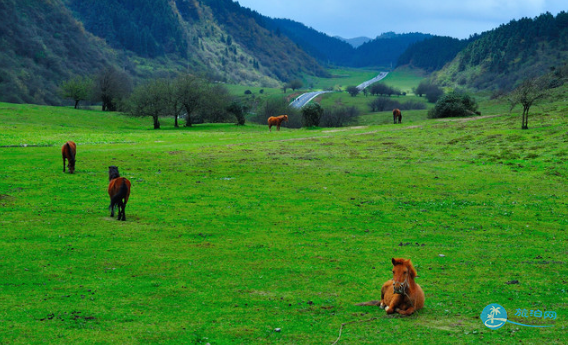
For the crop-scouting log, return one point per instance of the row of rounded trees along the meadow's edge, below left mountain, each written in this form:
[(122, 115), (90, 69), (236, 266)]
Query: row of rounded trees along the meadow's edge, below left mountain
[(194, 98)]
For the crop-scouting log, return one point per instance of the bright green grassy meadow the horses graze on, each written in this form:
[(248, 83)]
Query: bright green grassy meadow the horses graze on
[(233, 232)]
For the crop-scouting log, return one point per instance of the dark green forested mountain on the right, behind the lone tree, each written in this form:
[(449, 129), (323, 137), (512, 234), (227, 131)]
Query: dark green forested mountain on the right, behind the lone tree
[(514, 51)]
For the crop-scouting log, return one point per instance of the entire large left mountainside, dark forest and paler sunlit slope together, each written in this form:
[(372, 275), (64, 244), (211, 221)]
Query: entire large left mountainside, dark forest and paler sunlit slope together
[(43, 43)]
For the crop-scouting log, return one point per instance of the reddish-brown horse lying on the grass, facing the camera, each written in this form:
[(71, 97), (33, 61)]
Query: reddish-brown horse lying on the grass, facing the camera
[(401, 294)]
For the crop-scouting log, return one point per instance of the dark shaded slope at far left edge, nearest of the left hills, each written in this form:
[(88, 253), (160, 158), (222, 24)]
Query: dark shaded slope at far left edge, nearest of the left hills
[(40, 44)]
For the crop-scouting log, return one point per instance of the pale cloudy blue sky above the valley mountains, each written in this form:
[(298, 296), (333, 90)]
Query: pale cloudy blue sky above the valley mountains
[(353, 18)]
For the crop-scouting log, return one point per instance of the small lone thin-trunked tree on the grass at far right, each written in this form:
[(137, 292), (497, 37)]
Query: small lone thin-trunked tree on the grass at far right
[(528, 93)]
